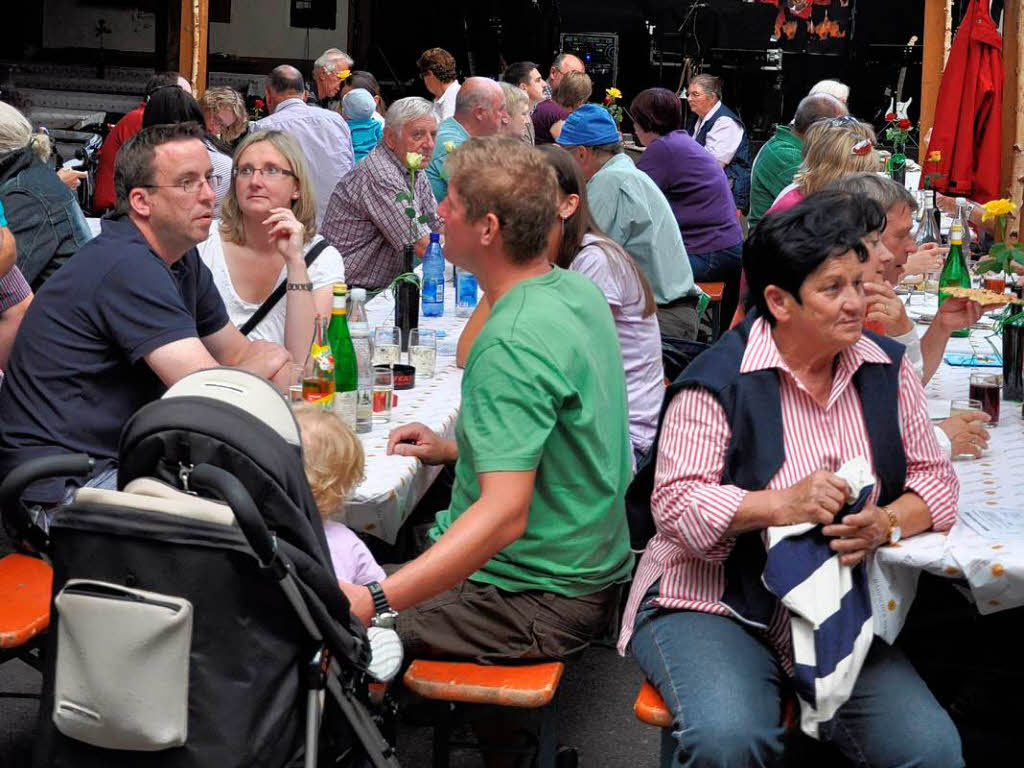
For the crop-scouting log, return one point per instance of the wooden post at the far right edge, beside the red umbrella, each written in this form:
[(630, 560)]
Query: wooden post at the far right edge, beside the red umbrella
[(1013, 110)]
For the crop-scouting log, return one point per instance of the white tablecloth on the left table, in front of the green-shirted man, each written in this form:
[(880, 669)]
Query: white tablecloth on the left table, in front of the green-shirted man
[(394, 485)]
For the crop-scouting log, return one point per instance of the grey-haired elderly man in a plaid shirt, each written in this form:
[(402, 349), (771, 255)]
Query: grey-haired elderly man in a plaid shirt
[(364, 221)]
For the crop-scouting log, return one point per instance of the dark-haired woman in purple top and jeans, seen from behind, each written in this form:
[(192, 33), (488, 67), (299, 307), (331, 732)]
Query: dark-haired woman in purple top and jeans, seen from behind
[(697, 189)]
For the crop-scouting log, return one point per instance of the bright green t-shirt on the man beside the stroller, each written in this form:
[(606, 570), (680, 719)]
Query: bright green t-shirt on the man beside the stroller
[(545, 390)]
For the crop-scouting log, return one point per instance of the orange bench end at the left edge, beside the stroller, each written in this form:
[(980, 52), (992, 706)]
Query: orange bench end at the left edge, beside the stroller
[(25, 606)]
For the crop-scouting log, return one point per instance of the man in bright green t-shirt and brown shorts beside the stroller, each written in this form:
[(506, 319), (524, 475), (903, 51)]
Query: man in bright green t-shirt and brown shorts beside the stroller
[(527, 562)]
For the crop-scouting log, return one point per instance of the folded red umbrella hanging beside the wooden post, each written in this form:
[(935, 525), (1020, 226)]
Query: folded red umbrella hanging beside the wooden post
[(968, 111)]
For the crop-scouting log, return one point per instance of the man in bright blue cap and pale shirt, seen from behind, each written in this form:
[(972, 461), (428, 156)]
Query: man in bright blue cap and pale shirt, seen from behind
[(630, 208)]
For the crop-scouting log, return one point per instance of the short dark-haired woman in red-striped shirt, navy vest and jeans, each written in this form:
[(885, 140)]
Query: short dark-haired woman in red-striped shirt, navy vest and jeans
[(751, 441)]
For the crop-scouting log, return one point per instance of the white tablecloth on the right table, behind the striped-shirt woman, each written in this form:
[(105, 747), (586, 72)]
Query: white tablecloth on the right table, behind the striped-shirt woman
[(994, 565)]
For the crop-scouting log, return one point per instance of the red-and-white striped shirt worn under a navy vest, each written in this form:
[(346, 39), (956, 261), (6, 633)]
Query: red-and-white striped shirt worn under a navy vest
[(693, 509)]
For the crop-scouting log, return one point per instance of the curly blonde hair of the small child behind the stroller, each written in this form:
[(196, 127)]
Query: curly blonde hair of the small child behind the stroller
[(332, 456)]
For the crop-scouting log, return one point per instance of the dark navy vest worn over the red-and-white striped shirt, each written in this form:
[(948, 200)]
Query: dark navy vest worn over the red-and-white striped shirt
[(753, 408)]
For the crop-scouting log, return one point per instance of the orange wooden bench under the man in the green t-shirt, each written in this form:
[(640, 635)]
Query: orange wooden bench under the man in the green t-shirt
[(529, 688)]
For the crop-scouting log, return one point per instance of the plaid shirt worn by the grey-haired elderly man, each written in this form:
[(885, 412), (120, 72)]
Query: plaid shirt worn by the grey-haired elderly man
[(366, 224)]
